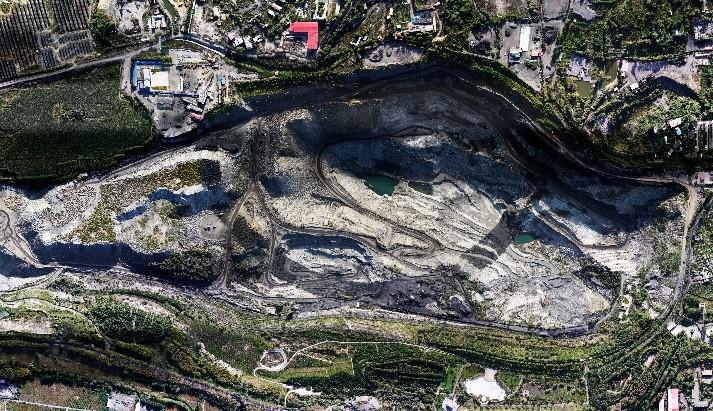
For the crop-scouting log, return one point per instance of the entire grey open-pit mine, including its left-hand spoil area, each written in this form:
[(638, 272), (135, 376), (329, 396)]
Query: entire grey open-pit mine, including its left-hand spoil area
[(427, 195)]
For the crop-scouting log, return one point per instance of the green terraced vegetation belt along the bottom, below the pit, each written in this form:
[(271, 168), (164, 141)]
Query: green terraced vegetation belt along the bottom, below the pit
[(381, 365)]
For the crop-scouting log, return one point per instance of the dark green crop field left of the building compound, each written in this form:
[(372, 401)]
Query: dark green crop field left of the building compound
[(55, 131)]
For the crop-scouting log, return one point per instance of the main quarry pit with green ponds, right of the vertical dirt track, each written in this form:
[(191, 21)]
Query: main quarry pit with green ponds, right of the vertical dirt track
[(485, 222)]
